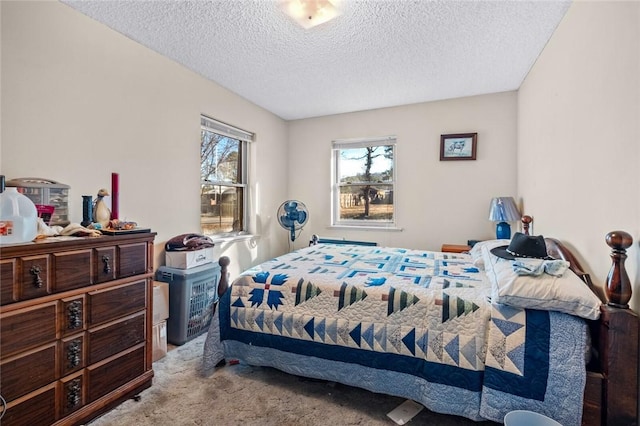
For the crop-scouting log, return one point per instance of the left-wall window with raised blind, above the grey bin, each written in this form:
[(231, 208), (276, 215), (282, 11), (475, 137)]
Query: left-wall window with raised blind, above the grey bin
[(223, 175)]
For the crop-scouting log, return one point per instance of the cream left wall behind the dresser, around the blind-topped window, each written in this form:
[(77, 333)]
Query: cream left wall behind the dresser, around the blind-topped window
[(80, 101)]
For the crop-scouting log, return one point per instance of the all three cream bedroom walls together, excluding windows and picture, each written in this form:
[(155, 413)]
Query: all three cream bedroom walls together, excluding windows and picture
[(80, 101)]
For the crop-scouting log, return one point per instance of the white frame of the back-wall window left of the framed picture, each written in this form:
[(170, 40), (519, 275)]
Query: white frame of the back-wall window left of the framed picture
[(336, 147)]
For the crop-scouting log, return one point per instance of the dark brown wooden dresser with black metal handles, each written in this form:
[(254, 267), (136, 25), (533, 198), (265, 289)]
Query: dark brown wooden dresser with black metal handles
[(75, 327)]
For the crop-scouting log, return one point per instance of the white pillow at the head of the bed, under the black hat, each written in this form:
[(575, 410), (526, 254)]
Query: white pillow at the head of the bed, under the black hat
[(567, 293)]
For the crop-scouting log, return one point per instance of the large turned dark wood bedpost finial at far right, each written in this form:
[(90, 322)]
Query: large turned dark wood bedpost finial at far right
[(618, 288)]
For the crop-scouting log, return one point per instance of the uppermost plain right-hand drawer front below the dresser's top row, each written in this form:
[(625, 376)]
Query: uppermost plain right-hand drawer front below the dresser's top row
[(113, 303)]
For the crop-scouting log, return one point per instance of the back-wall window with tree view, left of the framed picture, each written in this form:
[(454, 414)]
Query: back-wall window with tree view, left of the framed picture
[(363, 183)]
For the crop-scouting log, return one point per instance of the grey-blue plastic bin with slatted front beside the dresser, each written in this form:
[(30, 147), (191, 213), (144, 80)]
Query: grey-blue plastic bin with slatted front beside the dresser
[(192, 293)]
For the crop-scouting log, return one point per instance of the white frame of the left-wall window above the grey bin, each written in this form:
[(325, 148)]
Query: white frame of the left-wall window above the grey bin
[(245, 138)]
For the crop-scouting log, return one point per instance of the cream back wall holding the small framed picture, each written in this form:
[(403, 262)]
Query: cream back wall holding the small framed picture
[(436, 201)]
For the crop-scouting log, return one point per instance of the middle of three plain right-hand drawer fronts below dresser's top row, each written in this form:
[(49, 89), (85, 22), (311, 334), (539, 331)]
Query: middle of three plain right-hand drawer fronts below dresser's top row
[(116, 337)]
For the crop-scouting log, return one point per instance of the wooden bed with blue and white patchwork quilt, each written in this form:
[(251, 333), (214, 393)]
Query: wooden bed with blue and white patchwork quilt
[(440, 329)]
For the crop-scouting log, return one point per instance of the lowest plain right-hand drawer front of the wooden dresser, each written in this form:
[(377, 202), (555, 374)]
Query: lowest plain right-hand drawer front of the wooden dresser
[(110, 375)]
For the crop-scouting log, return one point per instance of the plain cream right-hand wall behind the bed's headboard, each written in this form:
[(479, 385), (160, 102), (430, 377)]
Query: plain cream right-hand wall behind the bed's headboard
[(579, 134)]
